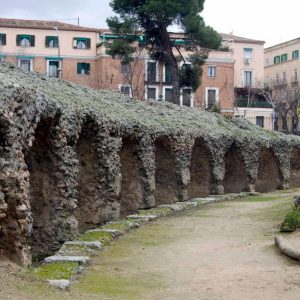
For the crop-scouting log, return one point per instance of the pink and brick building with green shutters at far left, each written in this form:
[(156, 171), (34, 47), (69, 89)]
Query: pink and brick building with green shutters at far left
[(50, 47)]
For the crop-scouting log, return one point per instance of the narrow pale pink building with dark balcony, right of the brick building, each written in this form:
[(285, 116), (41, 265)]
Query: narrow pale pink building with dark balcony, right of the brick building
[(249, 80)]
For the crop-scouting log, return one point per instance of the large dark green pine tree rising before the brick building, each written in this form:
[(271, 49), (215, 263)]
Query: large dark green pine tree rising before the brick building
[(152, 19)]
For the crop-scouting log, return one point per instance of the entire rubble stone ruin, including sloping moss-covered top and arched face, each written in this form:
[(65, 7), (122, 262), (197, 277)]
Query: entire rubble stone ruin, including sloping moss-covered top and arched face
[(74, 158)]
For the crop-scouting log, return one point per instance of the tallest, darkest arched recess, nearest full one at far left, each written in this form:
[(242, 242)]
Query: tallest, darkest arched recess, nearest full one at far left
[(43, 193)]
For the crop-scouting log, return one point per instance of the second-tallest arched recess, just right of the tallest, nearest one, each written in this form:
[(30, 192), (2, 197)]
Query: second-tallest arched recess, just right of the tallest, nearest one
[(91, 206)]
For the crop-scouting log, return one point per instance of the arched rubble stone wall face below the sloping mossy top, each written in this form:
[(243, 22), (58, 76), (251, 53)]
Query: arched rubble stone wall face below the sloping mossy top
[(63, 173)]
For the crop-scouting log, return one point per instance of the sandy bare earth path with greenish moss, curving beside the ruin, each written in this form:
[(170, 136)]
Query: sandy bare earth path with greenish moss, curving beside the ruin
[(222, 251)]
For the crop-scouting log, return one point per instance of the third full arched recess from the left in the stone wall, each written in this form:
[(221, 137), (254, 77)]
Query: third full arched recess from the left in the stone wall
[(131, 196)]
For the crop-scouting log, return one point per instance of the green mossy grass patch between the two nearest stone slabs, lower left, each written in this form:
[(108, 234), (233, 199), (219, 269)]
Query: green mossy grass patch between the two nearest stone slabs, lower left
[(57, 270)]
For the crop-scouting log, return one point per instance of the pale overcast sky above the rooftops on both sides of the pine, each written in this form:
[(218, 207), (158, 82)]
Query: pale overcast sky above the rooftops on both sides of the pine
[(269, 20)]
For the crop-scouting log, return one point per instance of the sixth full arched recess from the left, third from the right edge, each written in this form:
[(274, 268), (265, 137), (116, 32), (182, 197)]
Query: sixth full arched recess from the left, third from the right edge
[(235, 179)]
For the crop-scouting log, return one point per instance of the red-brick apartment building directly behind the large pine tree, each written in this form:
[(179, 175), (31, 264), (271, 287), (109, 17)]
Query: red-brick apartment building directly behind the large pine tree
[(148, 79)]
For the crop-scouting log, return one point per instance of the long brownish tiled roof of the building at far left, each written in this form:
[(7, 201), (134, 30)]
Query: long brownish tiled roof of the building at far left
[(41, 24)]
